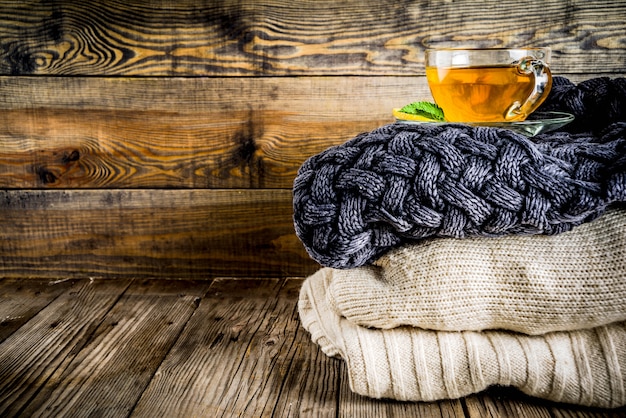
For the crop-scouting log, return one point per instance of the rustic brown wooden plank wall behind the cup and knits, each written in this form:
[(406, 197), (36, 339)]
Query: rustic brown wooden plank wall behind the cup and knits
[(161, 138)]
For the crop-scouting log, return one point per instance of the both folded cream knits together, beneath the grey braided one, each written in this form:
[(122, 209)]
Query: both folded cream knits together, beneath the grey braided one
[(434, 321)]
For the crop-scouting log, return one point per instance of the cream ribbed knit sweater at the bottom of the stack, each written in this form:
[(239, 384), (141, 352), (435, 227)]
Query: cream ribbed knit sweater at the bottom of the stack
[(584, 367)]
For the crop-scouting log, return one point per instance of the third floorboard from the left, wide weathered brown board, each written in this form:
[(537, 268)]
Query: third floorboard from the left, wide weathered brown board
[(107, 376)]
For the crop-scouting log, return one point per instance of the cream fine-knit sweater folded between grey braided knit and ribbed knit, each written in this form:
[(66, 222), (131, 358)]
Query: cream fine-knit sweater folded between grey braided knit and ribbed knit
[(530, 284)]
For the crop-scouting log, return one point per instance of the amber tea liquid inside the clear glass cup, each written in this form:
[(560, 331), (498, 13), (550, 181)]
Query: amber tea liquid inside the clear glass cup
[(479, 94)]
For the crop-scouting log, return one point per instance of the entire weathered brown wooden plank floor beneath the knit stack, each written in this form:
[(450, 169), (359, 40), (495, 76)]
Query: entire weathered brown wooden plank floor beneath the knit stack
[(179, 348)]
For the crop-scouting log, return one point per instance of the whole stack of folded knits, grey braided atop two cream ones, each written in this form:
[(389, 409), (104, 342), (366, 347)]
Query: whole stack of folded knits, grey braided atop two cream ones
[(458, 257)]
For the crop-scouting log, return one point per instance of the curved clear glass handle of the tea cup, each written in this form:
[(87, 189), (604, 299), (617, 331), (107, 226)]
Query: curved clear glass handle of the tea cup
[(543, 81)]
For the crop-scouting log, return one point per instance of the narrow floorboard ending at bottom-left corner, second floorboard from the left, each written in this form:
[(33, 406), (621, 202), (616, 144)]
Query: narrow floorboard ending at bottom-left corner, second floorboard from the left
[(31, 355)]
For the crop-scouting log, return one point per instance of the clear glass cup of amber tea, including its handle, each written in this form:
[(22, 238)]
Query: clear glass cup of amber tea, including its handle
[(488, 85)]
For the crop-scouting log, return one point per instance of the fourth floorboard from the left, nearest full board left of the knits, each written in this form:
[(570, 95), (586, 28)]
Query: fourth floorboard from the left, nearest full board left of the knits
[(198, 370)]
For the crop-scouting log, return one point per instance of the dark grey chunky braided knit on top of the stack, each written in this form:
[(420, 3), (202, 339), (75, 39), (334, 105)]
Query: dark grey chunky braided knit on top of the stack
[(401, 183)]
